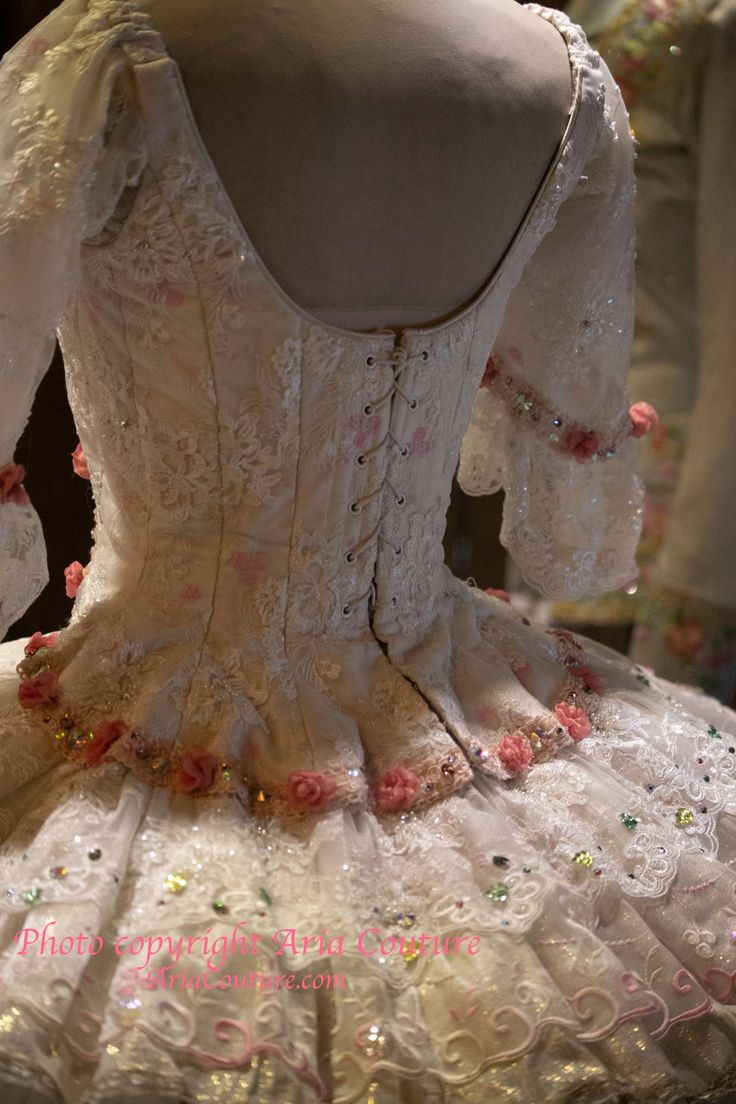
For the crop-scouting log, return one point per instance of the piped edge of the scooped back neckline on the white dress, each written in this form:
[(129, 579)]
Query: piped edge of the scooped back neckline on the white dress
[(571, 36)]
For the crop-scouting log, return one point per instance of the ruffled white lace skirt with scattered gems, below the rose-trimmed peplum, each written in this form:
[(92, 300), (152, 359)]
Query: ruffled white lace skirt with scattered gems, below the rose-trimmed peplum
[(568, 936)]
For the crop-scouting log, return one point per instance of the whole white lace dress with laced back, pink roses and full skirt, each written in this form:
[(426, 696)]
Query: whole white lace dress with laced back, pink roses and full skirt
[(292, 814)]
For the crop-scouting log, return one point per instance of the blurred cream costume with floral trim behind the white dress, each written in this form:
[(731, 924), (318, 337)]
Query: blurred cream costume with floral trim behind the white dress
[(674, 61)]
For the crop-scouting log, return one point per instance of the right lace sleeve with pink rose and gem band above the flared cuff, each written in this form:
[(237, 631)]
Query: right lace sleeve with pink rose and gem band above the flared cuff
[(551, 423)]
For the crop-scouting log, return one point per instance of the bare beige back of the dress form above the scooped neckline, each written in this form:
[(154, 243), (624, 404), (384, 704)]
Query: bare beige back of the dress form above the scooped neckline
[(381, 156)]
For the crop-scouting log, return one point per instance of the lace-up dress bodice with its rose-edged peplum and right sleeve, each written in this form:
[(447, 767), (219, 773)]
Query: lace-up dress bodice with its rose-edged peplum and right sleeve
[(268, 593)]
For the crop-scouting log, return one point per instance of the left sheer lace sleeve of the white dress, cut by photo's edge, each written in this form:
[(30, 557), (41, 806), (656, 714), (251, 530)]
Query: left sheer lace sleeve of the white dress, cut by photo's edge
[(70, 146)]
